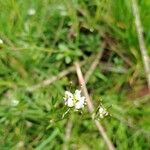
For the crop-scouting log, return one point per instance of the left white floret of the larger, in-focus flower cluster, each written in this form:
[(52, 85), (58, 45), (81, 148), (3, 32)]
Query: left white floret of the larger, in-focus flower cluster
[(68, 98)]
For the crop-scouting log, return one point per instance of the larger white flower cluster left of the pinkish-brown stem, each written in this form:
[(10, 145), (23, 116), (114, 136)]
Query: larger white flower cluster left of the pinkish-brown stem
[(74, 100)]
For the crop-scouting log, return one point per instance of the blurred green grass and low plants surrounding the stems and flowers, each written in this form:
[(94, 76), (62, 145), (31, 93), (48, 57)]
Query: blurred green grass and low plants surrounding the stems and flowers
[(39, 47)]
